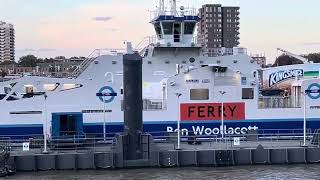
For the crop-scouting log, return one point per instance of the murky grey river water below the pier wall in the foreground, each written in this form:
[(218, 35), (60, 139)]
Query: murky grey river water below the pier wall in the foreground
[(192, 173)]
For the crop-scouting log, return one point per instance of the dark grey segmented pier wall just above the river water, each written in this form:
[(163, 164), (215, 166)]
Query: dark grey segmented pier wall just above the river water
[(170, 158)]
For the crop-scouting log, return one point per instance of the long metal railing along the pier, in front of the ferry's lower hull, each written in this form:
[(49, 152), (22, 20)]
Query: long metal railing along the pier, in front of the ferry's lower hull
[(168, 141)]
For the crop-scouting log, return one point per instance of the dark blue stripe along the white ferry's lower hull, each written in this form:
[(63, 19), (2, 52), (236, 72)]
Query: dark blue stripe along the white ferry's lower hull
[(161, 126)]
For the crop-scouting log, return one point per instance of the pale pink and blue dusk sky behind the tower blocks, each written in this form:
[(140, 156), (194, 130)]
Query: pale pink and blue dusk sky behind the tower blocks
[(48, 28)]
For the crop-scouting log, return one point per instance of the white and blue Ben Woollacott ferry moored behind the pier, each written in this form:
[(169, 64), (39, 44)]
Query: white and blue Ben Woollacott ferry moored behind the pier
[(180, 83)]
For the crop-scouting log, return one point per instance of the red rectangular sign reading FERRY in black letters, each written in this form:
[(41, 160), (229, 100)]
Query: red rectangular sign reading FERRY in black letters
[(212, 111)]
